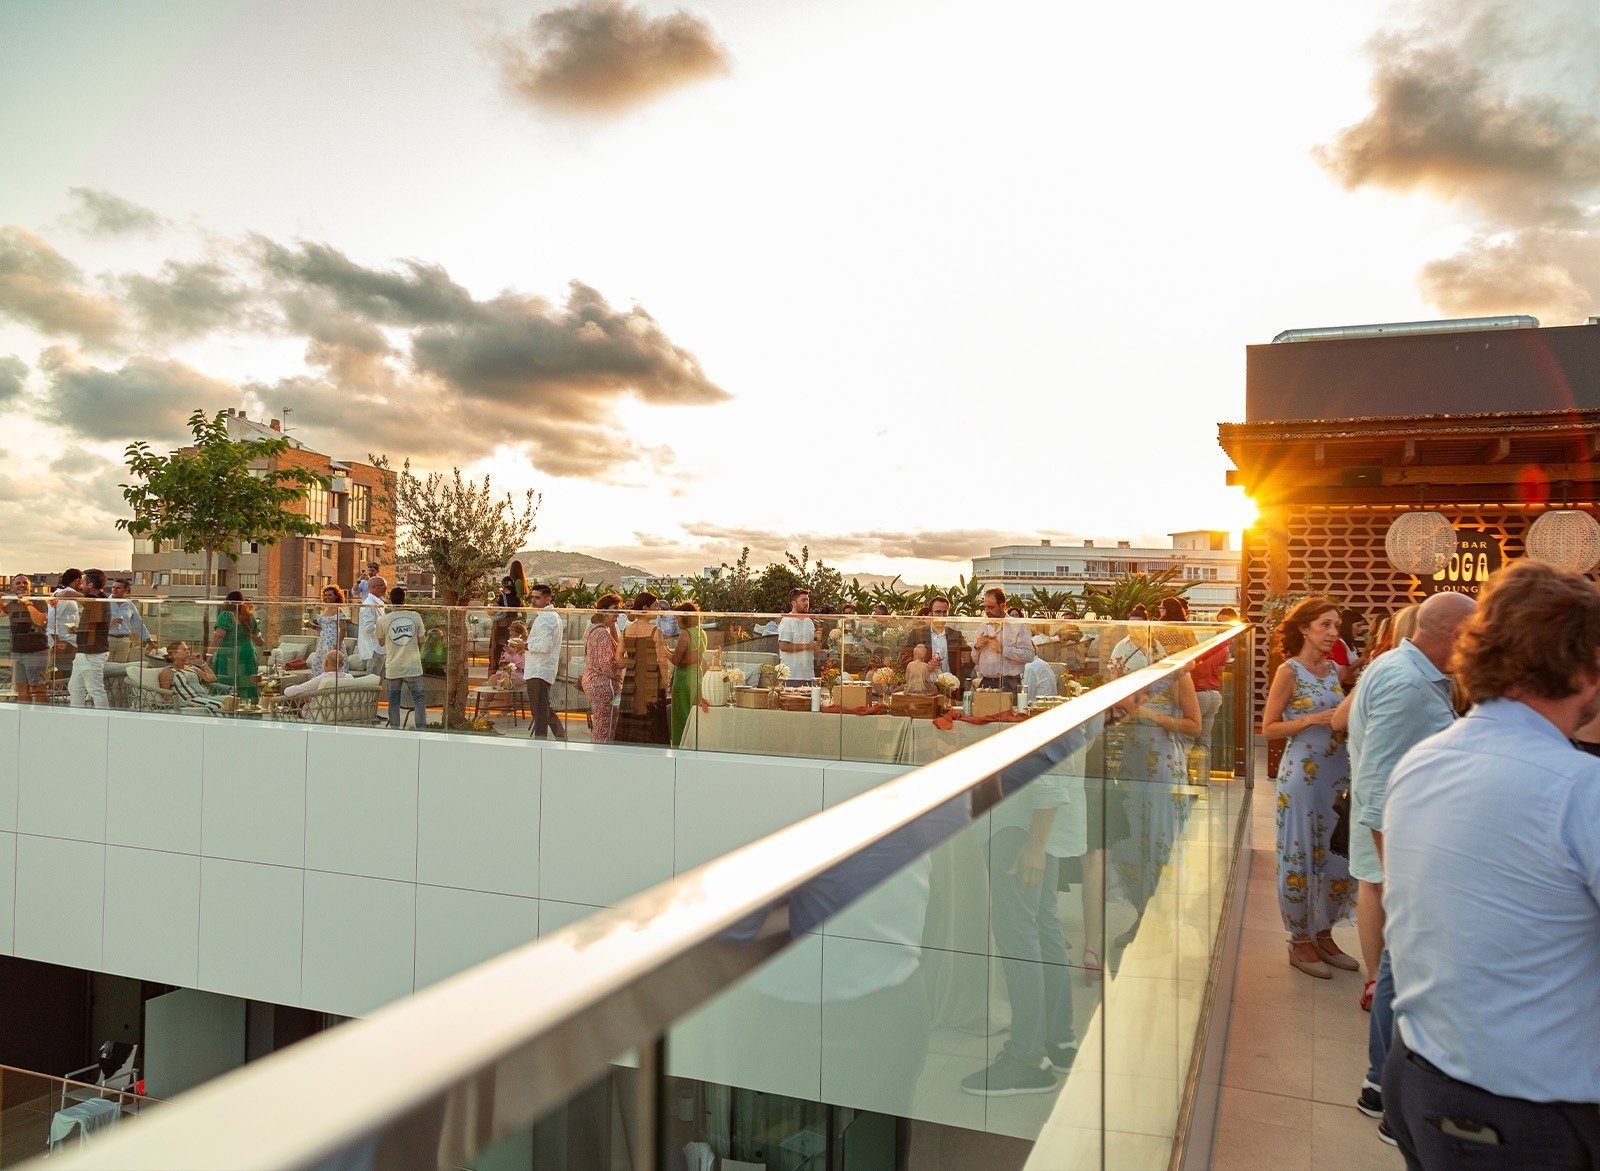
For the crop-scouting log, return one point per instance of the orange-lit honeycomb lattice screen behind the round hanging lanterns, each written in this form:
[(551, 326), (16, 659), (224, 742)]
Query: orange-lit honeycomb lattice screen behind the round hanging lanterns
[(1340, 551)]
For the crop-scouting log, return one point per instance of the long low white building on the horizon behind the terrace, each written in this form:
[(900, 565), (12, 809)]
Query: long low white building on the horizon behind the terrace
[(1206, 558)]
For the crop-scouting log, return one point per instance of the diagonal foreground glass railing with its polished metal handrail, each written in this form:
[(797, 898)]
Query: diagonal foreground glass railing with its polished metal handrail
[(1010, 949)]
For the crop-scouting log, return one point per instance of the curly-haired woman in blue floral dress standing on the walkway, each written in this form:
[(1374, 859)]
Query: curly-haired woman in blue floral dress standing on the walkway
[(1314, 884)]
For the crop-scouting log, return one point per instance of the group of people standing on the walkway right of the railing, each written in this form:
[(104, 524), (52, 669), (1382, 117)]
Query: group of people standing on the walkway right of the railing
[(1444, 788)]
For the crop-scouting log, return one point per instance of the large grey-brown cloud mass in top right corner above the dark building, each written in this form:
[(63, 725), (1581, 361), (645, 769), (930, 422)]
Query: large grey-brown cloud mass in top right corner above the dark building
[(1494, 108)]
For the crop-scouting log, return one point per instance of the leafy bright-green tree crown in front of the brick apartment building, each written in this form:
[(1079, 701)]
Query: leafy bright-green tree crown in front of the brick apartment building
[(210, 498)]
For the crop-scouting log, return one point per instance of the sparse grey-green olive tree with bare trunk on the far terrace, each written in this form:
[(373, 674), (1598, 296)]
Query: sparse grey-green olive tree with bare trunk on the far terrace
[(465, 534)]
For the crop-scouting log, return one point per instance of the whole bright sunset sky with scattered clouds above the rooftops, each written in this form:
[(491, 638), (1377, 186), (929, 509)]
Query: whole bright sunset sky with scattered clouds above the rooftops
[(895, 281)]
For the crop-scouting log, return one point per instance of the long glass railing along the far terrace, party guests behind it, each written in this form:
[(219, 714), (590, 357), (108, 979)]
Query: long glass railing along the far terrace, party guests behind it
[(862, 689)]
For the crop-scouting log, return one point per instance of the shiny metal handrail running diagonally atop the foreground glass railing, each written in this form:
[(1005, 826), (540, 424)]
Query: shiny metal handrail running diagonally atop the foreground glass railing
[(473, 1060)]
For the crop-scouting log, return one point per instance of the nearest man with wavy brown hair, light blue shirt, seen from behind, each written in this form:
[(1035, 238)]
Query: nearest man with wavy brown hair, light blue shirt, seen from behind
[(1492, 860)]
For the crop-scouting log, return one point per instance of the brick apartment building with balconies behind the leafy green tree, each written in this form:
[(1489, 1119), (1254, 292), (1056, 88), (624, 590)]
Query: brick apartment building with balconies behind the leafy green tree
[(354, 534)]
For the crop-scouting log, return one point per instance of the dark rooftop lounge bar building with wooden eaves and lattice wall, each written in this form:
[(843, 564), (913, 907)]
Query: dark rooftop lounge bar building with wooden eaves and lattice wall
[(1490, 428)]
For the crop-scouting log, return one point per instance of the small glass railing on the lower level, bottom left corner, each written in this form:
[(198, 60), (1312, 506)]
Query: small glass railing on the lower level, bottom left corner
[(46, 1116)]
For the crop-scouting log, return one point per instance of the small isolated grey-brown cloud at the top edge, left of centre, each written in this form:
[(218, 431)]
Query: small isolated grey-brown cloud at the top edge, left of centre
[(607, 57)]
